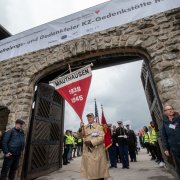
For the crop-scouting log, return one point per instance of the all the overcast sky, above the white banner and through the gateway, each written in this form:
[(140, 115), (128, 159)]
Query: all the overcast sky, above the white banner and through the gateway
[(118, 88)]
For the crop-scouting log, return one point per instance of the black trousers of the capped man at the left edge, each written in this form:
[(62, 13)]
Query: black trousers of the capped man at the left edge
[(10, 165)]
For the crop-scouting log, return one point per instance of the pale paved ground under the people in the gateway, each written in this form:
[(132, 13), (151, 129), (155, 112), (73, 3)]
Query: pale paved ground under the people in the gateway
[(144, 169)]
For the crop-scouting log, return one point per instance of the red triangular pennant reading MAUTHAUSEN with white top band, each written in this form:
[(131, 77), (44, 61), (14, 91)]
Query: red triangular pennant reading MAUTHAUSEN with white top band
[(74, 88)]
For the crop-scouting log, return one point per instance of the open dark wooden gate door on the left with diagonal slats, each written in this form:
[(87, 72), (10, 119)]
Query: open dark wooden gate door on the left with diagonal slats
[(45, 141)]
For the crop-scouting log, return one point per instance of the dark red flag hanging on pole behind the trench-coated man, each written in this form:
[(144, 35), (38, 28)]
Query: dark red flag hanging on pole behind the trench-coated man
[(107, 137)]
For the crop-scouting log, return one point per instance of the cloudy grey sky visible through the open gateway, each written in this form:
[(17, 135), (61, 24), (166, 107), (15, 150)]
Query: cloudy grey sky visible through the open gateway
[(119, 90)]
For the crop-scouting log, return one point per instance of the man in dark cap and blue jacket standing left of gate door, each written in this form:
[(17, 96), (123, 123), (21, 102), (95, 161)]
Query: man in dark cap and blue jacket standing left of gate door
[(12, 146)]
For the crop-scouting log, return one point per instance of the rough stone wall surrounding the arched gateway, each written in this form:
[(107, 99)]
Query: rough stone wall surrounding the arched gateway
[(156, 38)]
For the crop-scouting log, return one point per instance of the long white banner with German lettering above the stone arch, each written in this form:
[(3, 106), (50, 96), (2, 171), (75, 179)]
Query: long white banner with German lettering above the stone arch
[(97, 18)]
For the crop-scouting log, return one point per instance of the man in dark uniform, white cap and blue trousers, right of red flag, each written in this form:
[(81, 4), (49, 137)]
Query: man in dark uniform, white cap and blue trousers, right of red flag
[(121, 136)]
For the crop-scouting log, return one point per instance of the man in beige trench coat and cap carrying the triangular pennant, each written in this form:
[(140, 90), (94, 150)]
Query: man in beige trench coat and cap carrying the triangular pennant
[(94, 162)]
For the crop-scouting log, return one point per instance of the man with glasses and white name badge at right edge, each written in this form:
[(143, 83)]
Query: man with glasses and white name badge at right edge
[(171, 134)]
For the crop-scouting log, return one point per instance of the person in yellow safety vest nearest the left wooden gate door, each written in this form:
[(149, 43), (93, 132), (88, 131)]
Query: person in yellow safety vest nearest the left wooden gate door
[(67, 143)]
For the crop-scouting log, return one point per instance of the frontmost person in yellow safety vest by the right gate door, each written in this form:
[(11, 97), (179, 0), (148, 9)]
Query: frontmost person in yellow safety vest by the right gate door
[(155, 144)]
